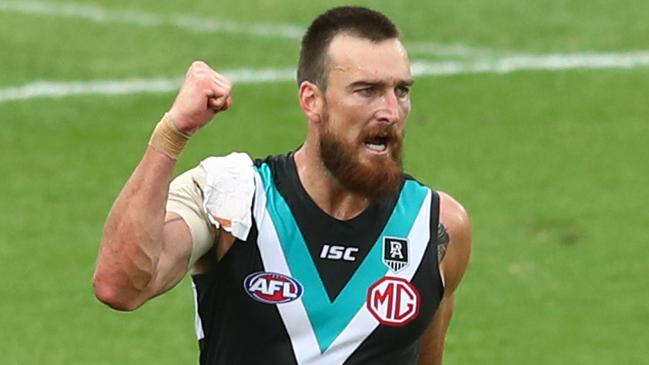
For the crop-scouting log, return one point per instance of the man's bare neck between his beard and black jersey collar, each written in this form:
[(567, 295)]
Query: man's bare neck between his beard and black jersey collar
[(323, 188)]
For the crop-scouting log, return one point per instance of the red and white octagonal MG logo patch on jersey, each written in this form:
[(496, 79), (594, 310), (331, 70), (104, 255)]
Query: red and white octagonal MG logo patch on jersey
[(393, 301)]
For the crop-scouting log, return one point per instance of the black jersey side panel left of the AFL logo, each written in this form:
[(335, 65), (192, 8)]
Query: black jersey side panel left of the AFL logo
[(238, 330)]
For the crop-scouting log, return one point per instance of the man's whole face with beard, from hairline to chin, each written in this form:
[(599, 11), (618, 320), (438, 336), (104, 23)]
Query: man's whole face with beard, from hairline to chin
[(366, 104)]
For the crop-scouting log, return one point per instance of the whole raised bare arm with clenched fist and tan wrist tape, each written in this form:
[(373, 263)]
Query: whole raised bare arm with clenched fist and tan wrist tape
[(144, 251)]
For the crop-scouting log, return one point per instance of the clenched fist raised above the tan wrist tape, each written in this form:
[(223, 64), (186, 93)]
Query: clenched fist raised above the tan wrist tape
[(203, 94)]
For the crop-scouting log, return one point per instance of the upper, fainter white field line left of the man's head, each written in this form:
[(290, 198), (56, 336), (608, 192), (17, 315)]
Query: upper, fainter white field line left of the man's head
[(143, 19)]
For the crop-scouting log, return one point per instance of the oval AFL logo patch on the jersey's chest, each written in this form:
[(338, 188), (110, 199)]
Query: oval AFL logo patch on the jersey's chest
[(272, 288)]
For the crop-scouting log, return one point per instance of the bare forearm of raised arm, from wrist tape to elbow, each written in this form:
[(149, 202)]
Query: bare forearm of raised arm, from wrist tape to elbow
[(132, 239)]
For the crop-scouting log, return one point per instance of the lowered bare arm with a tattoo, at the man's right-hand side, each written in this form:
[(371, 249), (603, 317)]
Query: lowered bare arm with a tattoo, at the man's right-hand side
[(454, 250)]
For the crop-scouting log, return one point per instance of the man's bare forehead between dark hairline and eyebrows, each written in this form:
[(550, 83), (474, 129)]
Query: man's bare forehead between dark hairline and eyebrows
[(354, 59)]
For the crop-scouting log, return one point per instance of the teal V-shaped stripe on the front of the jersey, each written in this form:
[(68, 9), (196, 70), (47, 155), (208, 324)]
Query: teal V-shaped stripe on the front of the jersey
[(328, 319)]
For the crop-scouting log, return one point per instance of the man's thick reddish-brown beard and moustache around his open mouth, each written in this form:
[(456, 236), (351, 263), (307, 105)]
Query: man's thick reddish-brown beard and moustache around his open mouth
[(375, 179)]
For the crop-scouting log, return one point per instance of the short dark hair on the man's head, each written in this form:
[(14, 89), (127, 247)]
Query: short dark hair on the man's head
[(353, 20)]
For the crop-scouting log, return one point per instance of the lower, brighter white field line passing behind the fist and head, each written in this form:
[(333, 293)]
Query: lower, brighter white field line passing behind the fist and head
[(503, 65)]
